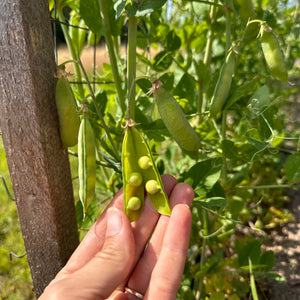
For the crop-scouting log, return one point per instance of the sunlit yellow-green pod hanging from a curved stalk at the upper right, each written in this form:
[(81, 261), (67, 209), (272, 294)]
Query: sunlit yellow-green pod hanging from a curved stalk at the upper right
[(272, 53)]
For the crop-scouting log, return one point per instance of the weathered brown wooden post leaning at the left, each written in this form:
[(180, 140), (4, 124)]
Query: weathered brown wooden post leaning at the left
[(38, 165)]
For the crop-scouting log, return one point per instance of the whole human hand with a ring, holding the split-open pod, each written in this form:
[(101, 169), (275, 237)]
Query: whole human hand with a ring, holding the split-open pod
[(115, 259)]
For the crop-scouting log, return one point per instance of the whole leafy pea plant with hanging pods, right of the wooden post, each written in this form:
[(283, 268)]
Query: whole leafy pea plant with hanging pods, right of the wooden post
[(201, 94)]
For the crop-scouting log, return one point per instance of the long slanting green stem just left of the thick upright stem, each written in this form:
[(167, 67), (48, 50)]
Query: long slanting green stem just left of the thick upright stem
[(112, 55)]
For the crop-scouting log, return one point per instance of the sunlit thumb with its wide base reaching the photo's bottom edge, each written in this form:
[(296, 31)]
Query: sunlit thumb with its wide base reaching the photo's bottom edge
[(105, 271)]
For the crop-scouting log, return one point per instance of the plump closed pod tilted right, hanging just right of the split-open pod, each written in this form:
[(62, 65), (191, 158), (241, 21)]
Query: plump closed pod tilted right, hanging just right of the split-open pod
[(174, 119)]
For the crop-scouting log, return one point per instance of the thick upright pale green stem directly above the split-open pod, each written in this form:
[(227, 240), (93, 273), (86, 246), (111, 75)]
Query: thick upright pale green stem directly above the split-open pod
[(131, 66)]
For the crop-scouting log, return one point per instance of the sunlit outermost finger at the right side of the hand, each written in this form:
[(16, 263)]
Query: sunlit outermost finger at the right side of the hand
[(167, 273)]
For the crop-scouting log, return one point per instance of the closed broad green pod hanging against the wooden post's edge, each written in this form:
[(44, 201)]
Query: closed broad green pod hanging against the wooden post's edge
[(69, 120)]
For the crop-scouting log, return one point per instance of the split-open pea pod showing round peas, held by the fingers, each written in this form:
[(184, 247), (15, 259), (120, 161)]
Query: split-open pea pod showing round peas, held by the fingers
[(139, 173)]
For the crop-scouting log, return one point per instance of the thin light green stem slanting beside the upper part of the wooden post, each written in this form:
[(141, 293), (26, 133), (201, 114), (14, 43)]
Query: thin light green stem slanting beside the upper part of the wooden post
[(71, 49)]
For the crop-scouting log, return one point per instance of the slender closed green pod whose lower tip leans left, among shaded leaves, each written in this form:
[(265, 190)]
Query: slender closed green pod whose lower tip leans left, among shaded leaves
[(223, 85)]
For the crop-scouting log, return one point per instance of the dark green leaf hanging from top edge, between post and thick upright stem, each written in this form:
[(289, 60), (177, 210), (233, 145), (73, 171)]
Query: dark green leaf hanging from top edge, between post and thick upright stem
[(90, 13)]
